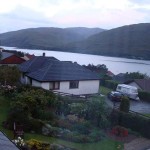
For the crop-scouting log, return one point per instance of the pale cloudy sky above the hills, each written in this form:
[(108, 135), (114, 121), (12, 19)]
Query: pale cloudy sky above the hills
[(106, 14)]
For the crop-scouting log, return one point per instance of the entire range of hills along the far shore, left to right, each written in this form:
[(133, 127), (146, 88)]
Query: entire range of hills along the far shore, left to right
[(130, 41)]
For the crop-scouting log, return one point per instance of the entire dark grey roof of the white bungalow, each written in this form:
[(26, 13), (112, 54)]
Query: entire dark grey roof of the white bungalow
[(50, 69)]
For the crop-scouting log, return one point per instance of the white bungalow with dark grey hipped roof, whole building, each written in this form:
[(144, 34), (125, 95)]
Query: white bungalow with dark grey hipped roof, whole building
[(59, 76)]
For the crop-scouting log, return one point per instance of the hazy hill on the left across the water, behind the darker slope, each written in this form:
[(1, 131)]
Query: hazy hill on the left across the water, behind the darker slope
[(46, 38)]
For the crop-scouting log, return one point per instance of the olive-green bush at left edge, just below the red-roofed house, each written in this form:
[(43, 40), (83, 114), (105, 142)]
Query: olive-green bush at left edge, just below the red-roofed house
[(9, 75)]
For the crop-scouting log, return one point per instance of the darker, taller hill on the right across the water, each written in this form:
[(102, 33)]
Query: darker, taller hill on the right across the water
[(131, 41)]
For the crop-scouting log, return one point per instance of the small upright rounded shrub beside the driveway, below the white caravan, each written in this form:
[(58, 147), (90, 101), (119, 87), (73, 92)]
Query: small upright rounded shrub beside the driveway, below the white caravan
[(125, 104)]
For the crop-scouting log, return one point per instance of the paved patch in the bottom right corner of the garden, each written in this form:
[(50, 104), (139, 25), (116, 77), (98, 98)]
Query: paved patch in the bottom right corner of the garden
[(138, 144)]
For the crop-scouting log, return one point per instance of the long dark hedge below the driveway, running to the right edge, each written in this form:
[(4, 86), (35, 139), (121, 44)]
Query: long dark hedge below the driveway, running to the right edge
[(134, 122)]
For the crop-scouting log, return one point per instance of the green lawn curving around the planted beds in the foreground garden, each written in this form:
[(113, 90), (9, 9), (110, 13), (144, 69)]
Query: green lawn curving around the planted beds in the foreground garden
[(106, 144)]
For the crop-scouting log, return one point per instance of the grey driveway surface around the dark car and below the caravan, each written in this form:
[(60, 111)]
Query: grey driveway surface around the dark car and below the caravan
[(137, 106)]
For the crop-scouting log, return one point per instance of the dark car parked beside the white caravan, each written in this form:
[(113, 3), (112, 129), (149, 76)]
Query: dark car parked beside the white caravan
[(115, 96)]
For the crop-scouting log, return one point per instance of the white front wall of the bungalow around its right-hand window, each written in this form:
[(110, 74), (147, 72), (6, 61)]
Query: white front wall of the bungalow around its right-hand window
[(85, 87)]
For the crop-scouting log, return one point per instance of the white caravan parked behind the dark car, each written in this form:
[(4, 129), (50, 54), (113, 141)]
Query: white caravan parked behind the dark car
[(128, 90)]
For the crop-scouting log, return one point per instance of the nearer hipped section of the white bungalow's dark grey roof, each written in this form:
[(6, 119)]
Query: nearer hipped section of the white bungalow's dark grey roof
[(63, 71)]
